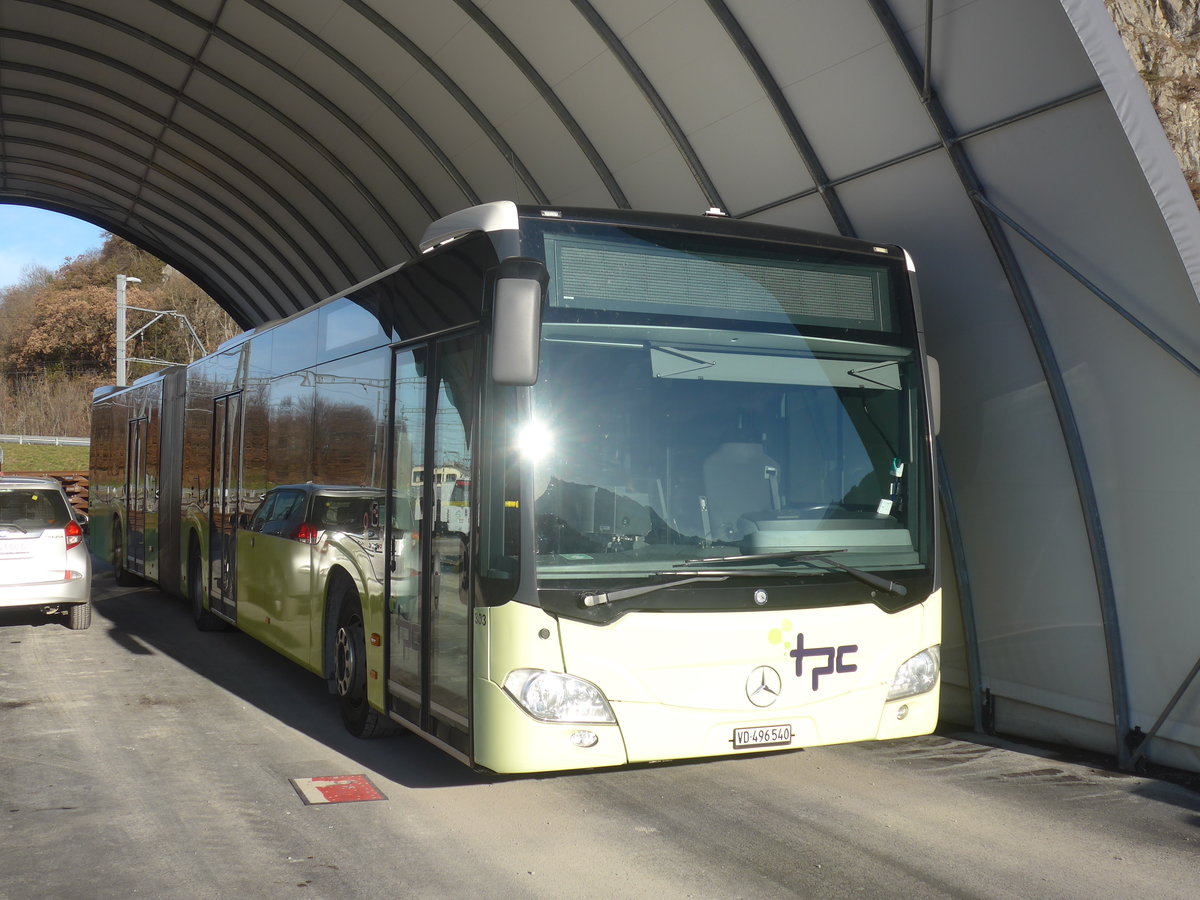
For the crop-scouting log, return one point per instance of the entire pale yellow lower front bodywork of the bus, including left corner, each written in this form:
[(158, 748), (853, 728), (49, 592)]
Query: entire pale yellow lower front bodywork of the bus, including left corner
[(680, 683)]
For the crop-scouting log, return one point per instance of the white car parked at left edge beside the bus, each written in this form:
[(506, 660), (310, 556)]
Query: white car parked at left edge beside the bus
[(44, 561)]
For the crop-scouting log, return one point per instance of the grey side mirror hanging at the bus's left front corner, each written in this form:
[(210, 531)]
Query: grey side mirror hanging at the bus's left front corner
[(517, 321)]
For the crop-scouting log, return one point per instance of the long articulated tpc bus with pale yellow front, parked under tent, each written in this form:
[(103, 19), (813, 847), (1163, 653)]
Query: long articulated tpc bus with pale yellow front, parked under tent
[(694, 506)]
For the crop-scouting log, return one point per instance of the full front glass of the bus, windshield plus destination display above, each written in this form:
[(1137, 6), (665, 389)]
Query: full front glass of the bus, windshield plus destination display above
[(715, 400)]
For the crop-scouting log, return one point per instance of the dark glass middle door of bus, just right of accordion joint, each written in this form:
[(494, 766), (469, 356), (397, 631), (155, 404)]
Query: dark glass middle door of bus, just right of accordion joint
[(225, 489)]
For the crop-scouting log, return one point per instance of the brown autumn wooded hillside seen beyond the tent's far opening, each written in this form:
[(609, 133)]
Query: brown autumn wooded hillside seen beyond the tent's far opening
[(58, 334)]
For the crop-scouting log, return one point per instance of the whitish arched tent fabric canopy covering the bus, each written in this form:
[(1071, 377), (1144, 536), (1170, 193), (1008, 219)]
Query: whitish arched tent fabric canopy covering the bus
[(281, 151)]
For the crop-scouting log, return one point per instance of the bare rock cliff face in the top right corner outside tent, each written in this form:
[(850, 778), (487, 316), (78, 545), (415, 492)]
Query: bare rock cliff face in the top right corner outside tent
[(1163, 38)]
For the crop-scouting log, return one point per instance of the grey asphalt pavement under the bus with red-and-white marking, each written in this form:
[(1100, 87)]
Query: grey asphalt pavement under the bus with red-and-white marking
[(146, 759)]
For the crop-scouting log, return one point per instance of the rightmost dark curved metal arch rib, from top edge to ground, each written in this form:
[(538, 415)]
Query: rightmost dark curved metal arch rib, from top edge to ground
[(1047, 358)]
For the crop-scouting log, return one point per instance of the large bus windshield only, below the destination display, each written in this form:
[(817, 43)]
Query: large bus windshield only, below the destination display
[(656, 446)]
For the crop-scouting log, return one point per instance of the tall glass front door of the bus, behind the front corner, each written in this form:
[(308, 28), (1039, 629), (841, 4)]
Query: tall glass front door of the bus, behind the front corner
[(429, 568)]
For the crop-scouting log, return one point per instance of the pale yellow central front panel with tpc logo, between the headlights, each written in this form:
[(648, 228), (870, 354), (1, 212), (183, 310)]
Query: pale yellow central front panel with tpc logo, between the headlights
[(680, 683)]
